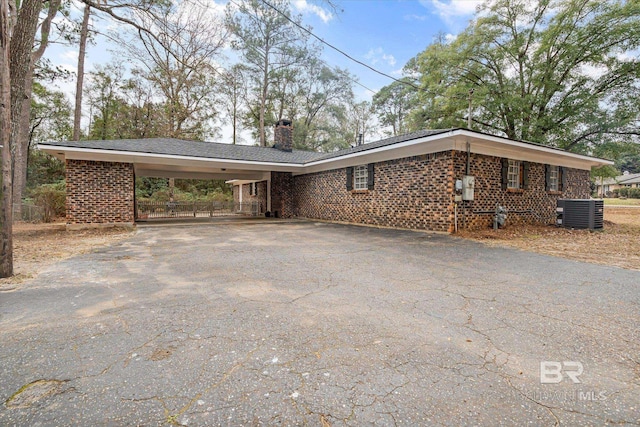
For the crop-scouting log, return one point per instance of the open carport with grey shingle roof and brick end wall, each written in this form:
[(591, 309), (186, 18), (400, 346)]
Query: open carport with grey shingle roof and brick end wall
[(101, 174)]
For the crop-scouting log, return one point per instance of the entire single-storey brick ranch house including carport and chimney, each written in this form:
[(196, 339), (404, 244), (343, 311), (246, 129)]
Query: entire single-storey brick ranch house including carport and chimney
[(428, 180)]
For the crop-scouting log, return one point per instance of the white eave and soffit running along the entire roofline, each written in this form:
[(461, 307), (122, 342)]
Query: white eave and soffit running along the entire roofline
[(148, 163)]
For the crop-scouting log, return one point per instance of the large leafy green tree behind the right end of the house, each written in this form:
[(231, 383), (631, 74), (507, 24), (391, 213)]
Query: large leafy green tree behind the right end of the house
[(556, 72)]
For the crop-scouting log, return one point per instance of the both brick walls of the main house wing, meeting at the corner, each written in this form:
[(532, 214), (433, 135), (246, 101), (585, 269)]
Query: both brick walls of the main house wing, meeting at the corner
[(417, 193)]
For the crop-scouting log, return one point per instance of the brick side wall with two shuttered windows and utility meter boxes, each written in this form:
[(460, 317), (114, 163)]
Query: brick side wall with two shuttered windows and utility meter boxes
[(533, 205)]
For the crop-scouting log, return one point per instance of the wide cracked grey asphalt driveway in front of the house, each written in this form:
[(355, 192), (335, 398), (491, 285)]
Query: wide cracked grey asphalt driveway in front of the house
[(319, 324)]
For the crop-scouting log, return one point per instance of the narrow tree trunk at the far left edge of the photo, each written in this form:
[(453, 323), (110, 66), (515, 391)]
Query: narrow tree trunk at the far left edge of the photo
[(6, 211)]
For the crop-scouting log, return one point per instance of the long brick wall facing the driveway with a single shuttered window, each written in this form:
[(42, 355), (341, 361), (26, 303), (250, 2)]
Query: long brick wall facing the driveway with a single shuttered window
[(413, 192)]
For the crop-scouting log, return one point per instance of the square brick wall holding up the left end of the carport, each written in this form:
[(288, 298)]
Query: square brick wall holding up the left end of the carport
[(99, 192)]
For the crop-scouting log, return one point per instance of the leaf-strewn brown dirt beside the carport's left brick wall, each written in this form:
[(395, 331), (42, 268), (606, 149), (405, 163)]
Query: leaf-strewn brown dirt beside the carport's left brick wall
[(35, 246)]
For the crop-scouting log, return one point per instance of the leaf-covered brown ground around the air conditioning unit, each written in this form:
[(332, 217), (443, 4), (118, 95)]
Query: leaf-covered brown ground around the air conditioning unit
[(617, 245)]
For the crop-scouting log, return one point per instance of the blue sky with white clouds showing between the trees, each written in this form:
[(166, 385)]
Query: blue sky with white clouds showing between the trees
[(382, 33)]
